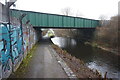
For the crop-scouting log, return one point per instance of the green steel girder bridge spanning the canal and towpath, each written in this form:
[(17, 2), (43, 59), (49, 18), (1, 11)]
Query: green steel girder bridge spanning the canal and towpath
[(45, 20)]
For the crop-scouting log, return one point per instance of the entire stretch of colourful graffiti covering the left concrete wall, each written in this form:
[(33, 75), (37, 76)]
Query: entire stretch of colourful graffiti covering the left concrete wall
[(11, 54)]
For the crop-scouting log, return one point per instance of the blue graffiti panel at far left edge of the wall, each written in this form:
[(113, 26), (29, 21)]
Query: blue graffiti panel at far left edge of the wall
[(5, 51)]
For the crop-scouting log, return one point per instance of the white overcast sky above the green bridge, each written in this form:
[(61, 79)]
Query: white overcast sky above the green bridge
[(86, 8)]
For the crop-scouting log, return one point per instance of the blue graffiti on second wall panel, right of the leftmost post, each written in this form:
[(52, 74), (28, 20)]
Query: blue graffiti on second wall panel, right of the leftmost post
[(16, 43)]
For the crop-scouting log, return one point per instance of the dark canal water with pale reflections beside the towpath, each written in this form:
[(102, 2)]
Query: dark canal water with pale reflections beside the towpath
[(94, 58)]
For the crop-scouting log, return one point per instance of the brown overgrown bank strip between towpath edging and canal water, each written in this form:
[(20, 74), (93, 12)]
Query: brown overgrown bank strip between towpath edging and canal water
[(77, 65)]
